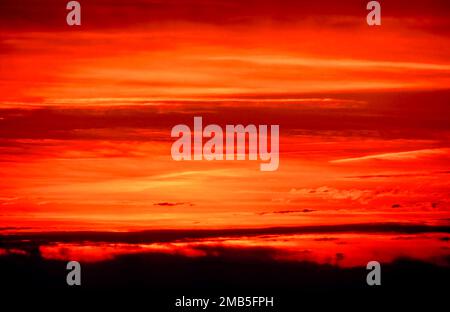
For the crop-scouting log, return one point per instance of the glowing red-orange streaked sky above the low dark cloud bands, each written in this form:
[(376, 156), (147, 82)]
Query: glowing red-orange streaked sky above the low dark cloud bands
[(86, 113)]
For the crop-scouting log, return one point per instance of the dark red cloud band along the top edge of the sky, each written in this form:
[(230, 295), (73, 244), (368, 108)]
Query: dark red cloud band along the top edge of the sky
[(115, 14)]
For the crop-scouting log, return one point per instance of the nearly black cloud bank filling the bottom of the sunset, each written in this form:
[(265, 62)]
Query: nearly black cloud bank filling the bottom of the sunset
[(161, 277)]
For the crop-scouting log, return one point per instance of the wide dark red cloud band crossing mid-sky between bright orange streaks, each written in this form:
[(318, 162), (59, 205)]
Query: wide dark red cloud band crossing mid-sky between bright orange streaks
[(409, 115)]
